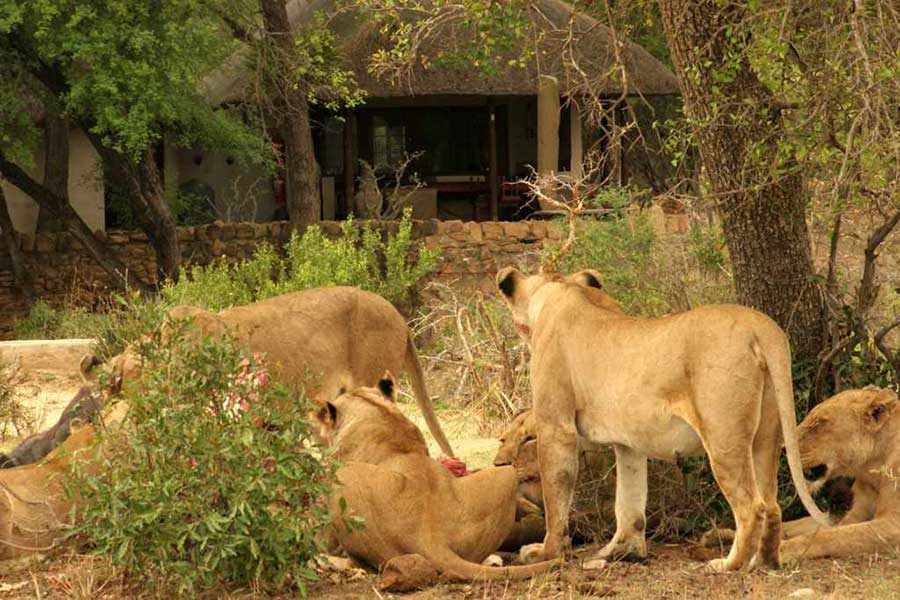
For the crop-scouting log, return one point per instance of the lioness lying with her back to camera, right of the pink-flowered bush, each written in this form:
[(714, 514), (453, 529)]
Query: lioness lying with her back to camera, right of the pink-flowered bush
[(410, 503)]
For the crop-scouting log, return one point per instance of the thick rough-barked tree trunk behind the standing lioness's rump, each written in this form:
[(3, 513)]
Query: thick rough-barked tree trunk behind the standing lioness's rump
[(738, 131)]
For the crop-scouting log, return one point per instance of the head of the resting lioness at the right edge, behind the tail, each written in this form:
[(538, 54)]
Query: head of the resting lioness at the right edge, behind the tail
[(847, 435)]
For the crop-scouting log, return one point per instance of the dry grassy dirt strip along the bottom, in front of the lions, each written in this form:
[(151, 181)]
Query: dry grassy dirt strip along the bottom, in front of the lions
[(671, 572)]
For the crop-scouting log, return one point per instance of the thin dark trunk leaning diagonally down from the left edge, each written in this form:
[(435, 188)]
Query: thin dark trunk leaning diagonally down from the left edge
[(60, 209)]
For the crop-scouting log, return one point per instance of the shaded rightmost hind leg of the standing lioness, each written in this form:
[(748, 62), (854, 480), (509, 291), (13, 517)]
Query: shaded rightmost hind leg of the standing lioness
[(766, 455)]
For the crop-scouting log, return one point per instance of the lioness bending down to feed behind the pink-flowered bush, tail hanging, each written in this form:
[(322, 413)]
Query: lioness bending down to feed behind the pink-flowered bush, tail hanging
[(327, 339)]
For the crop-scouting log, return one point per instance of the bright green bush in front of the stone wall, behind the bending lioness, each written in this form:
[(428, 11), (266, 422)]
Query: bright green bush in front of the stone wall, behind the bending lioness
[(359, 257)]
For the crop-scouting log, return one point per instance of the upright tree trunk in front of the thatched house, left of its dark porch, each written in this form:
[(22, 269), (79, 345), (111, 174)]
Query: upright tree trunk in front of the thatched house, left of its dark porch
[(291, 111)]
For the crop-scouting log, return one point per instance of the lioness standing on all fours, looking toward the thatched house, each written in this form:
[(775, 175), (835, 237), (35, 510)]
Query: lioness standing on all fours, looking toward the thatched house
[(717, 378)]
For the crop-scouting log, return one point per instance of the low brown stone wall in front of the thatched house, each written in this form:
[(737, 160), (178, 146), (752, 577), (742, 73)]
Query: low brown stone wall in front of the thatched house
[(64, 274)]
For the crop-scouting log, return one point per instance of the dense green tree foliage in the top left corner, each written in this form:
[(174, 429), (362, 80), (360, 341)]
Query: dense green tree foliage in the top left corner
[(128, 71)]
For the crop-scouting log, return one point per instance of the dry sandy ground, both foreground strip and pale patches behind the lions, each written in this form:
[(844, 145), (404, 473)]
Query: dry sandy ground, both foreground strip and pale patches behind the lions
[(49, 379)]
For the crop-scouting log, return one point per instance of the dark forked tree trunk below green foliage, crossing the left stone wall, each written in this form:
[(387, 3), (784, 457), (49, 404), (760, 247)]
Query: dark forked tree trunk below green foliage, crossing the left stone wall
[(147, 198)]
